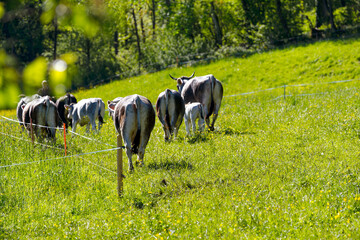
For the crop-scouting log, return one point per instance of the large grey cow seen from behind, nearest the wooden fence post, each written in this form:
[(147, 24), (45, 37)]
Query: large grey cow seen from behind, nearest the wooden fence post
[(134, 120)]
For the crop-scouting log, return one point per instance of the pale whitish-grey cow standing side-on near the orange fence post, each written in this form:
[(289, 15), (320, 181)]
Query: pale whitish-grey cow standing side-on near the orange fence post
[(86, 111)]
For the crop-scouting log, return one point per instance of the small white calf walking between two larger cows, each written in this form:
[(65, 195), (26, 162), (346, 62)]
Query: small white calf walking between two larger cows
[(194, 111)]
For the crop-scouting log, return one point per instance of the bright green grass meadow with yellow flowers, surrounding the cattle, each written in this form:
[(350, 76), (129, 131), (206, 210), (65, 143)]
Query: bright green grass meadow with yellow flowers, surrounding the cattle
[(273, 167)]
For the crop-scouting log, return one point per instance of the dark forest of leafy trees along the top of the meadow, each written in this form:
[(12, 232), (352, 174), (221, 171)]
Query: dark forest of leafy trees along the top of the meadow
[(101, 40)]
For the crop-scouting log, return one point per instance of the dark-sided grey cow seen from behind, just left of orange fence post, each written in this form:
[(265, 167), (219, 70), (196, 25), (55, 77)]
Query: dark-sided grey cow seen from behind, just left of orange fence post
[(41, 115)]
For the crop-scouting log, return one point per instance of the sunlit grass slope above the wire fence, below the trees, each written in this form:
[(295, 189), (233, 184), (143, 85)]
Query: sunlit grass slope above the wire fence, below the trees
[(313, 63)]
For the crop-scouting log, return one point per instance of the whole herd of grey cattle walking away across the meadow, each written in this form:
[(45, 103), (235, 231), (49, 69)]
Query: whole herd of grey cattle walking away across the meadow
[(133, 116)]
